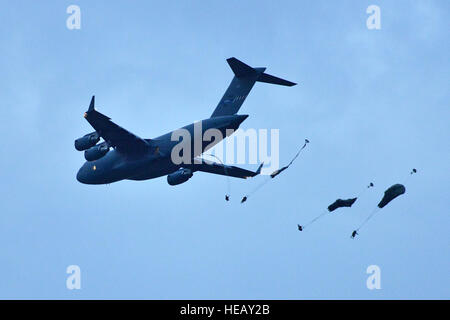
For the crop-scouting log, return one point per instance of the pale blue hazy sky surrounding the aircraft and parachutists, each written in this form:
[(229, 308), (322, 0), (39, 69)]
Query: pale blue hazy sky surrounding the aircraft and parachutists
[(373, 103)]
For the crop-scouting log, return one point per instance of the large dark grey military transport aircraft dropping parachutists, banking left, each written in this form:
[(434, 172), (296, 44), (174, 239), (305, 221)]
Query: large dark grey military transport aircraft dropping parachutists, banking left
[(123, 155)]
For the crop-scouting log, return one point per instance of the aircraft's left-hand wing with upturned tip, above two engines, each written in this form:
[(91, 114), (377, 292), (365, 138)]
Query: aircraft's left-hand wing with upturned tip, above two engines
[(113, 134)]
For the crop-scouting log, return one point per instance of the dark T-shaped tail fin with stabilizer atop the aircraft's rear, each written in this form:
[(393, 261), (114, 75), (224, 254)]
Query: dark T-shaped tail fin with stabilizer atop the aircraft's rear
[(243, 81)]
